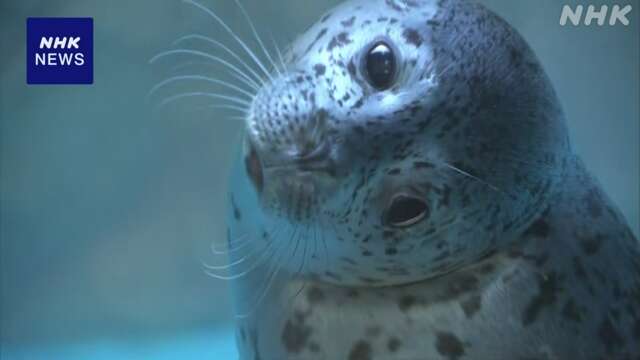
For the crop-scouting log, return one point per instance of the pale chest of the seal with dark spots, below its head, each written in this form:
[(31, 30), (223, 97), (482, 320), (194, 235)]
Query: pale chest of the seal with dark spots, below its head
[(418, 321)]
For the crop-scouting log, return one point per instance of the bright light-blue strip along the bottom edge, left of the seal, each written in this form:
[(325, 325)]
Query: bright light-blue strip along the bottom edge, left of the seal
[(214, 345)]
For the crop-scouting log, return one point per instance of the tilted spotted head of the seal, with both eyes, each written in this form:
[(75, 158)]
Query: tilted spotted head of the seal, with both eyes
[(417, 135)]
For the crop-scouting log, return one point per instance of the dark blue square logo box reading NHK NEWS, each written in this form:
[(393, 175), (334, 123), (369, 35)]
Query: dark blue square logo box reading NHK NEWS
[(59, 51)]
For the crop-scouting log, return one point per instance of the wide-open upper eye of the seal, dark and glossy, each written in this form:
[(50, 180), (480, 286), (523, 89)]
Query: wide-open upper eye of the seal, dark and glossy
[(380, 66)]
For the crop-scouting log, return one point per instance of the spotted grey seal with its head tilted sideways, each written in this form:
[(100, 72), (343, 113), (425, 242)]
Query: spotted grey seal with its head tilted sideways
[(408, 191)]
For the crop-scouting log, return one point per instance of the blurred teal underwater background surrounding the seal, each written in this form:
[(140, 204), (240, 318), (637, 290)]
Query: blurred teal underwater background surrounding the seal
[(108, 206)]
